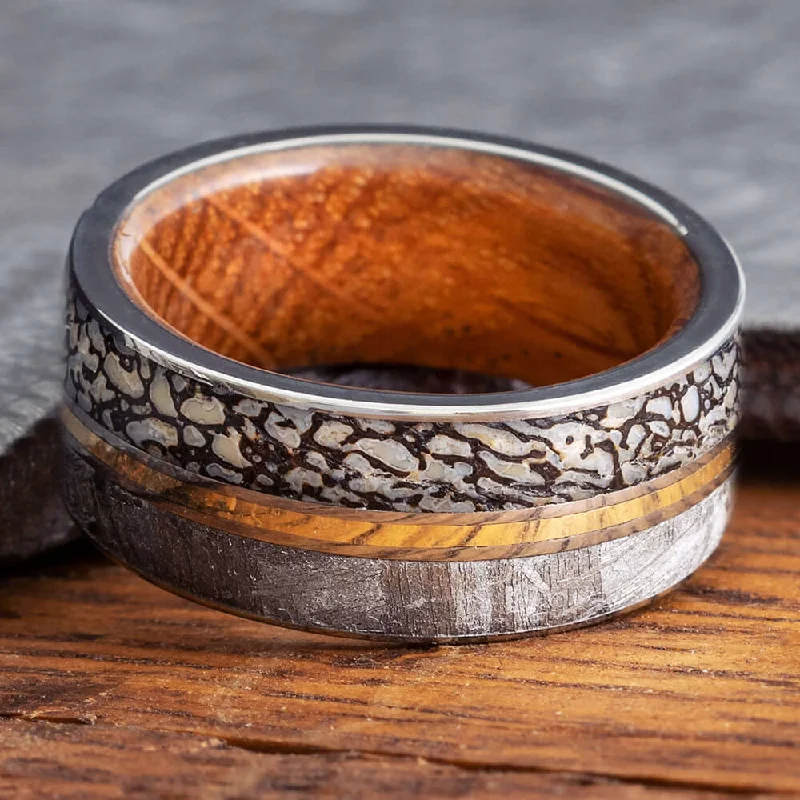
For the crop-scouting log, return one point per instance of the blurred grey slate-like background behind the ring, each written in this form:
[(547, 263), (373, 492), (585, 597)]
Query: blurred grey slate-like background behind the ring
[(701, 98)]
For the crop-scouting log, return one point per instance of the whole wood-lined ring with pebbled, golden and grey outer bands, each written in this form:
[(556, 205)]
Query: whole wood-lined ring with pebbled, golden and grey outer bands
[(204, 285)]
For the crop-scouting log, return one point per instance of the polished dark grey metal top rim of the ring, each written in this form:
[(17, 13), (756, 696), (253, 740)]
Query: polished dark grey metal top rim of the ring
[(716, 317)]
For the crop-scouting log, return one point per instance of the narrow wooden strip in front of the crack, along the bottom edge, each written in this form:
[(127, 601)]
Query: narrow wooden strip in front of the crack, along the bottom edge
[(41, 759)]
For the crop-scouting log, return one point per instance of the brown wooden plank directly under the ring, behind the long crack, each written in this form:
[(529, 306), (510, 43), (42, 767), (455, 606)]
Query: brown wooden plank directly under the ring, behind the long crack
[(700, 691)]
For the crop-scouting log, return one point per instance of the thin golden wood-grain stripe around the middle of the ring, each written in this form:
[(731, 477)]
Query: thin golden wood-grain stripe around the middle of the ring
[(563, 526)]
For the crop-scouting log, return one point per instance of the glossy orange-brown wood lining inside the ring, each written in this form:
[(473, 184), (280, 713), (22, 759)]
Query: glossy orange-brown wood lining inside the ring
[(420, 255)]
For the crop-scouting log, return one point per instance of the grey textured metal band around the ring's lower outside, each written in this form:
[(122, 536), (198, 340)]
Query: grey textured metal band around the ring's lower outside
[(421, 601)]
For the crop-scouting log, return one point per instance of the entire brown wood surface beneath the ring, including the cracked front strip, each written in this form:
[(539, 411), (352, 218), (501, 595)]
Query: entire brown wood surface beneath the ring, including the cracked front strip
[(110, 687)]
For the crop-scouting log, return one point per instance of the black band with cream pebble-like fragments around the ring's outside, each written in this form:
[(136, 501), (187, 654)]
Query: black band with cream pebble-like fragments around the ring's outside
[(397, 465)]
